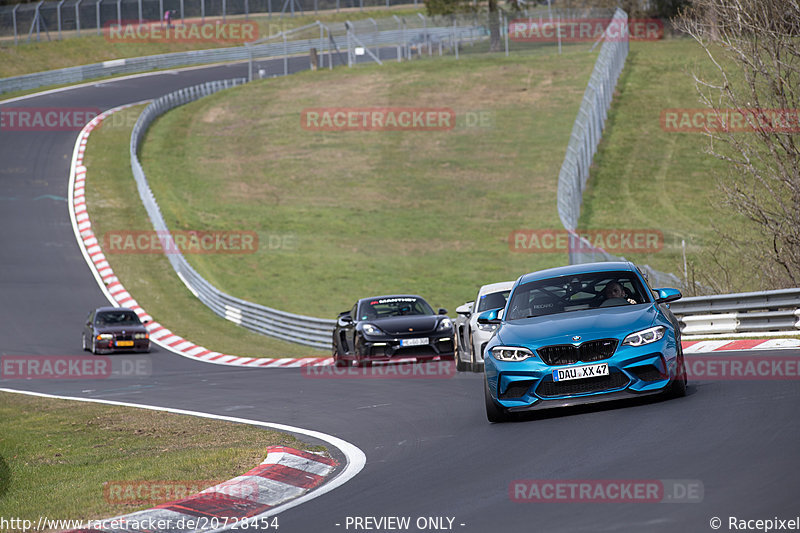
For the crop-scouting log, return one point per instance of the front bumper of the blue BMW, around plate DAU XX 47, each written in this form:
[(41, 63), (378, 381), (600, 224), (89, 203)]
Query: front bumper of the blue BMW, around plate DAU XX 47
[(633, 371)]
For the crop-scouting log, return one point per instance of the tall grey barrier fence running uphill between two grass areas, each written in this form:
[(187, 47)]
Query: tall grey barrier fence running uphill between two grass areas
[(583, 142)]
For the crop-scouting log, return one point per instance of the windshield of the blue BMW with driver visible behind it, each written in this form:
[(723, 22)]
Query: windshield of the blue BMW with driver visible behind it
[(575, 293)]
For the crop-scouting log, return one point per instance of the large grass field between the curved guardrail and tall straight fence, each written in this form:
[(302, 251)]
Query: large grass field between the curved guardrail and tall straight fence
[(373, 212)]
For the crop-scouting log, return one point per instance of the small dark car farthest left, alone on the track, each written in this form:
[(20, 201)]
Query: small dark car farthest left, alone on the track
[(114, 329)]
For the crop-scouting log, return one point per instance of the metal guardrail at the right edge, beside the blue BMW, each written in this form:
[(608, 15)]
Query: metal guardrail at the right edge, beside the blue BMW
[(748, 312)]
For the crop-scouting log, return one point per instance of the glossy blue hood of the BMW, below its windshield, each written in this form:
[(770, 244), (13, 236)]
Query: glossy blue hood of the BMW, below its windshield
[(602, 323)]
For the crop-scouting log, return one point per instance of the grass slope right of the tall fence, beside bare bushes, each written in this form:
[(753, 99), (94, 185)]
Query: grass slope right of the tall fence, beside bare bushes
[(644, 177)]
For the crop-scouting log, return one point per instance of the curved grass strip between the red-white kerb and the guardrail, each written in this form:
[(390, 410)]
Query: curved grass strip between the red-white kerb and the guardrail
[(113, 204)]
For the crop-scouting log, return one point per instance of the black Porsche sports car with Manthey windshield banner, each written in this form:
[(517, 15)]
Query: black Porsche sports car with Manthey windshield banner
[(386, 328)]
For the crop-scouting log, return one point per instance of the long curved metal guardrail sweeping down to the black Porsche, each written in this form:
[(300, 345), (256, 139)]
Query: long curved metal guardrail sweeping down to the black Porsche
[(306, 330)]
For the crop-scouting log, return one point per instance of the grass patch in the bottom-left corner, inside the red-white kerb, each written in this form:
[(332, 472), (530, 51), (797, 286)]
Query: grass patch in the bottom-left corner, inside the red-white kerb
[(56, 455)]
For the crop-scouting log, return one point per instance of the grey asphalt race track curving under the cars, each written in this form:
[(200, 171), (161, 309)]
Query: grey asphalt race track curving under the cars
[(430, 451)]
